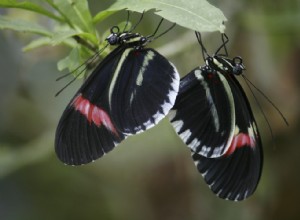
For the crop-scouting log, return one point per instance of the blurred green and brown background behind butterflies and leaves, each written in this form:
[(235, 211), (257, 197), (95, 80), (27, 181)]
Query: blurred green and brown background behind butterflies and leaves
[(151, 175)]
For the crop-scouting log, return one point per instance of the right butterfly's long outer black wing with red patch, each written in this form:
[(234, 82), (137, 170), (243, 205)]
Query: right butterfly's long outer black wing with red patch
[(235, 175)]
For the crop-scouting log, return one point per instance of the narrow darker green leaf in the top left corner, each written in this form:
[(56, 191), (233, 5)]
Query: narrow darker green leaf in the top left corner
[(28, 6)]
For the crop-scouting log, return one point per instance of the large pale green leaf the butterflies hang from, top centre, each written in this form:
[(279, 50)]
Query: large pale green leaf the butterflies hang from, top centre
[(198, 15)]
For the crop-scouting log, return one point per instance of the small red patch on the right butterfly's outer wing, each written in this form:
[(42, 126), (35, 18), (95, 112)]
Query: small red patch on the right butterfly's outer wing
[(240, 140)]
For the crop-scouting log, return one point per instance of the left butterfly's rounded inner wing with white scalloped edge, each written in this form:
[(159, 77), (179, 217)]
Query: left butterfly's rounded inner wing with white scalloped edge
[(143, 91)]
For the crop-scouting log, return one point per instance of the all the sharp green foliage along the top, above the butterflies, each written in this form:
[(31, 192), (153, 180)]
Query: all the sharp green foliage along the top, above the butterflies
[(75, 25)]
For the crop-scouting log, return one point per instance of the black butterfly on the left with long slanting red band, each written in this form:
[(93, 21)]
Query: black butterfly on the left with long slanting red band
[(130, 91)]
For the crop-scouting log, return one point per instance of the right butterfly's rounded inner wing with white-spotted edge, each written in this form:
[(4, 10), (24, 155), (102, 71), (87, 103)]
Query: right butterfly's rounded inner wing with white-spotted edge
[(203, 115)]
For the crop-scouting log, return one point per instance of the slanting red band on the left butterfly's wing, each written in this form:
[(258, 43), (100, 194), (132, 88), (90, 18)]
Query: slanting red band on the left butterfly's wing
[(93, 113)]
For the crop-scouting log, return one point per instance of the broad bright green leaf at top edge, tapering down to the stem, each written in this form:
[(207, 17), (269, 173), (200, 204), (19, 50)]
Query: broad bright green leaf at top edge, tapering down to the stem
[(77, 13)]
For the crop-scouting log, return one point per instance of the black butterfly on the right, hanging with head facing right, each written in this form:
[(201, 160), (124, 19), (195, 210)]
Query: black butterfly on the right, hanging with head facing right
[(213, 117)]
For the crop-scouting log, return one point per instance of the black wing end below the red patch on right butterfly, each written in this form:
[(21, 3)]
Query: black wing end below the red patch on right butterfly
[(233, 177)]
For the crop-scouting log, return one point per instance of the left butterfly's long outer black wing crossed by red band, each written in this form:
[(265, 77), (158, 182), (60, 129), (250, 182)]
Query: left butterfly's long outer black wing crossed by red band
[(86, 130)]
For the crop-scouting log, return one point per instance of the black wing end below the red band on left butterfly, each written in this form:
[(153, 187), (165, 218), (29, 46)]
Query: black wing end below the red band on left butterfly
[(79, 141)]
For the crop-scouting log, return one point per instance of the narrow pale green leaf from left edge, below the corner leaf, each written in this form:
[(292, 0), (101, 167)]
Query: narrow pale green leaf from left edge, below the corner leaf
[(23, 26)]
